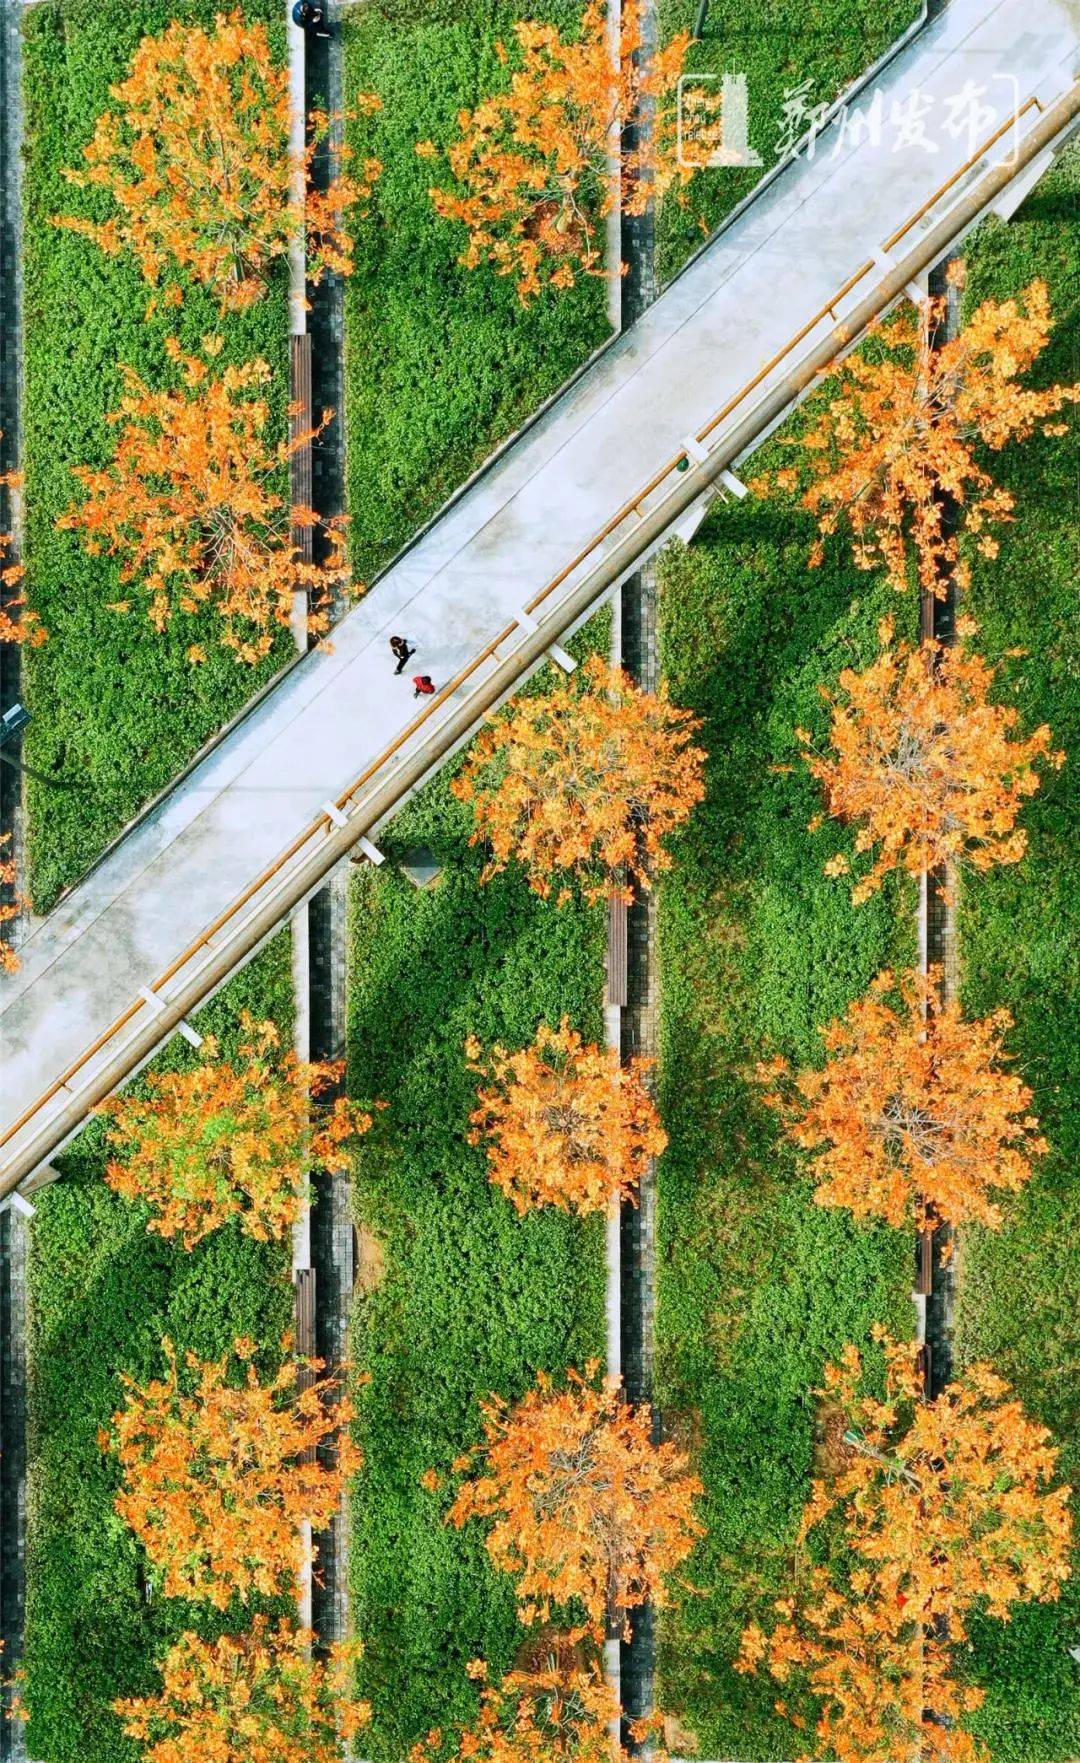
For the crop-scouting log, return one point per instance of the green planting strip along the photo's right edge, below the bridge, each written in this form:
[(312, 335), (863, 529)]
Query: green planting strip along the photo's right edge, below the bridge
[(1019, 1302)]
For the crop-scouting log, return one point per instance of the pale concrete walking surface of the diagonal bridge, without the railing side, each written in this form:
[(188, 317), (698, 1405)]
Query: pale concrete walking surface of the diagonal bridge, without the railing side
[(524, 521)]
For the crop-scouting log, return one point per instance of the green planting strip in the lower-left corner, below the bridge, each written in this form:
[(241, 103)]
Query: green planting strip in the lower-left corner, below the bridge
[(103, 1293)]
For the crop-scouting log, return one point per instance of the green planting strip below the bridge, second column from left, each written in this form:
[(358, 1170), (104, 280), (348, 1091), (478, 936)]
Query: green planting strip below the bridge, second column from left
[(473, 1298)]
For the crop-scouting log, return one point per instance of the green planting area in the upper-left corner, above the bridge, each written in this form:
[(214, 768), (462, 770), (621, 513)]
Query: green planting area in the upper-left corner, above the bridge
[(117, 708)]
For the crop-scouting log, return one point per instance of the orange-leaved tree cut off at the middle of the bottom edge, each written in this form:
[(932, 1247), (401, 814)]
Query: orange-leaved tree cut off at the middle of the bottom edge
[(559, 1711)]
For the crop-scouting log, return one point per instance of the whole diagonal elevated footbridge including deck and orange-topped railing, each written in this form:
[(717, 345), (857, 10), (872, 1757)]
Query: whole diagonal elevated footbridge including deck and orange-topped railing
[(968, 115)]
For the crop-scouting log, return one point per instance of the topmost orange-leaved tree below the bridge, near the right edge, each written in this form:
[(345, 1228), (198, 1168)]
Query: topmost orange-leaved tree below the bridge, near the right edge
[(903, 435)]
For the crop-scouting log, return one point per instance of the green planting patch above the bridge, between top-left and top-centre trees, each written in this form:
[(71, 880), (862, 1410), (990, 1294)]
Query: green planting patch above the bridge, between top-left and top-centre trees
[(441, 362)]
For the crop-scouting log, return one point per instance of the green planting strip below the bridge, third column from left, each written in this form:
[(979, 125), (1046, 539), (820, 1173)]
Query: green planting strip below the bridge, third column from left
[(758, 1288)]
